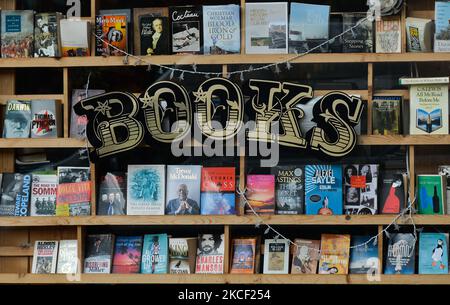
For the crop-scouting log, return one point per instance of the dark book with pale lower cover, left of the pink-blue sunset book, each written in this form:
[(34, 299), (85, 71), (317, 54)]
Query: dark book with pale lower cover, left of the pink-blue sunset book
[(99, 251)]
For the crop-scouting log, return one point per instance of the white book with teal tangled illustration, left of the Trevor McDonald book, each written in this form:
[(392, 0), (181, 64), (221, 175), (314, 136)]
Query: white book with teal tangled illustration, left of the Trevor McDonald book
[(146, 190)]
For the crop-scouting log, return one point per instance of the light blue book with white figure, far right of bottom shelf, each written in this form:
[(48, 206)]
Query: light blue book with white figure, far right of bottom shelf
[(433, 253)]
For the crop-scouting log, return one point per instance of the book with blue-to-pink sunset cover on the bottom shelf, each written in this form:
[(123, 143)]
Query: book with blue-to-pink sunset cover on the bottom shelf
[(127, 254)]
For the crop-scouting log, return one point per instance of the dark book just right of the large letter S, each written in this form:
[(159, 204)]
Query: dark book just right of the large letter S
[(386, 115)]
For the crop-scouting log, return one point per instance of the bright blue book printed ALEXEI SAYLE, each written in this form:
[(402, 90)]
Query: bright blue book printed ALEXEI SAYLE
[(323, 189)]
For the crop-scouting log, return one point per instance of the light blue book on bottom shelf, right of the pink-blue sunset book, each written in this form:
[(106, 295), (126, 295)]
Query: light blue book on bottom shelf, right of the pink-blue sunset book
[(155, 254)]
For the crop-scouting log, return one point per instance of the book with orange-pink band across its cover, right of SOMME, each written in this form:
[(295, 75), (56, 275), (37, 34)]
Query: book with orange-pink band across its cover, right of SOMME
[(73, 196)]
